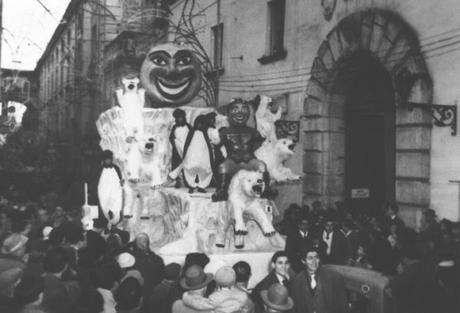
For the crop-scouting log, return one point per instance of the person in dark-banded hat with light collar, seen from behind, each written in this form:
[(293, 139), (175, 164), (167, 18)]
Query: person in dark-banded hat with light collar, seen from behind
[(194, 282)]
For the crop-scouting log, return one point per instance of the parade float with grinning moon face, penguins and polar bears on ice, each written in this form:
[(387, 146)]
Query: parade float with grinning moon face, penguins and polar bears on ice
[(171, 156)]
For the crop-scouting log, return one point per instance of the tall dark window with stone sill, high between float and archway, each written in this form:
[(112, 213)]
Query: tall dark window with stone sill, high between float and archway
[(275, 32)]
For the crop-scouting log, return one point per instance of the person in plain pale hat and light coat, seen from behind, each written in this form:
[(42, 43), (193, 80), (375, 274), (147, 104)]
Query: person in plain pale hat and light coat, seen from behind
[(228, 298)]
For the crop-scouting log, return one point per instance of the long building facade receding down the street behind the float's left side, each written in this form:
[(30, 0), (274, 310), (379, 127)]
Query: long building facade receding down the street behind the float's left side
[(72, 71)]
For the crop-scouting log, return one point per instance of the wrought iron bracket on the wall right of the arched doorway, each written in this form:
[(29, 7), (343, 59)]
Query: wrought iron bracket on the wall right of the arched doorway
[(443, 115)]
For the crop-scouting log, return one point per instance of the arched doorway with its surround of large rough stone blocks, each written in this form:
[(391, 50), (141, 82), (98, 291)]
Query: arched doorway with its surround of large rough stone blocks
[(358, 132)]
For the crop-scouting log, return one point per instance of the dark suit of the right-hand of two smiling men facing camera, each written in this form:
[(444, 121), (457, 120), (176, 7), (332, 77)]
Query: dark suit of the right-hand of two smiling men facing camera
[(329, 295)]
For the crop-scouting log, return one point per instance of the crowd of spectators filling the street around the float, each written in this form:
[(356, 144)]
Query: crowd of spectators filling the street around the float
[(48, 263)]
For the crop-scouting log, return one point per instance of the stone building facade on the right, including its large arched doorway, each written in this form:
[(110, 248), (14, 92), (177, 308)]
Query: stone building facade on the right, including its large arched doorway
[(372, 84)]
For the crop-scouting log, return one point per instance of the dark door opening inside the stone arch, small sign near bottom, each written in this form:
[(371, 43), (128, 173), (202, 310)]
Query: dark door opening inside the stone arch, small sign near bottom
[(369, 134)]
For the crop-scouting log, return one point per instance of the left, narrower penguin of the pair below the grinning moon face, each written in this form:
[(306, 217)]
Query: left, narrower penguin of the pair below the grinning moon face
[(177, 138)]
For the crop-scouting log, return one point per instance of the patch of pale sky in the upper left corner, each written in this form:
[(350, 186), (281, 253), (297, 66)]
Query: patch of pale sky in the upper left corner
[(27, 28)]
